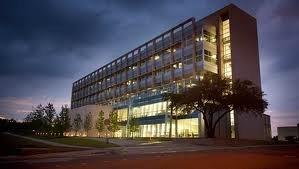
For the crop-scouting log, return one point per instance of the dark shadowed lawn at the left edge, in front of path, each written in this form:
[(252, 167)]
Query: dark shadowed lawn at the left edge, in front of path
[(11, 145)]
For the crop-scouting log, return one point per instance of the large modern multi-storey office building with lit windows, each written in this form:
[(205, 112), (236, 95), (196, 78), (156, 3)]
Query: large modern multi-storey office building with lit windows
[(224, 42)]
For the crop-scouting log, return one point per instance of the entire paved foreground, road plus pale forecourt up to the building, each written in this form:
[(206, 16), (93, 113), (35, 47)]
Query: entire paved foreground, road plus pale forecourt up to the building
[(163, 155)]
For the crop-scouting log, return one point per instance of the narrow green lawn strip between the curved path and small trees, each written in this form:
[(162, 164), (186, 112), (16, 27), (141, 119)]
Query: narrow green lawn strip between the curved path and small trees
[(77, 141)]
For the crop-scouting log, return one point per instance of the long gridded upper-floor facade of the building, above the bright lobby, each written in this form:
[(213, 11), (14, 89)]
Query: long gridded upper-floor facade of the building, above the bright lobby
[(172, 56)]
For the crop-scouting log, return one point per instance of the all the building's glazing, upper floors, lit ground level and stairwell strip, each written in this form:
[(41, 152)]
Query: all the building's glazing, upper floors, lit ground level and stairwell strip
[(134, 82)]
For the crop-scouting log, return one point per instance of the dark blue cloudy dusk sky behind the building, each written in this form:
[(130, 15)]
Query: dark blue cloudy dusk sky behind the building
[(46, 45)]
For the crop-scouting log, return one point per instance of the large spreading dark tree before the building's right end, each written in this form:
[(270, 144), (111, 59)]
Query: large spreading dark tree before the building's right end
[(214, 97)]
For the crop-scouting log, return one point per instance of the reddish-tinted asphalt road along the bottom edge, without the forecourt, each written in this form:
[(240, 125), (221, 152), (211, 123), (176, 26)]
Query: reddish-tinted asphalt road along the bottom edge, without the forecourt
[(282, 157)]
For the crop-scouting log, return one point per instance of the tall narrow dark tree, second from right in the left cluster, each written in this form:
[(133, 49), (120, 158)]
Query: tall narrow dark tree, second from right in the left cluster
[(49, 117)]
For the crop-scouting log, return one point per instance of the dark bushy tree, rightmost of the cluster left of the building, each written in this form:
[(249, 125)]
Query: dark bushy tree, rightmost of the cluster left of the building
[(62, 121)]
